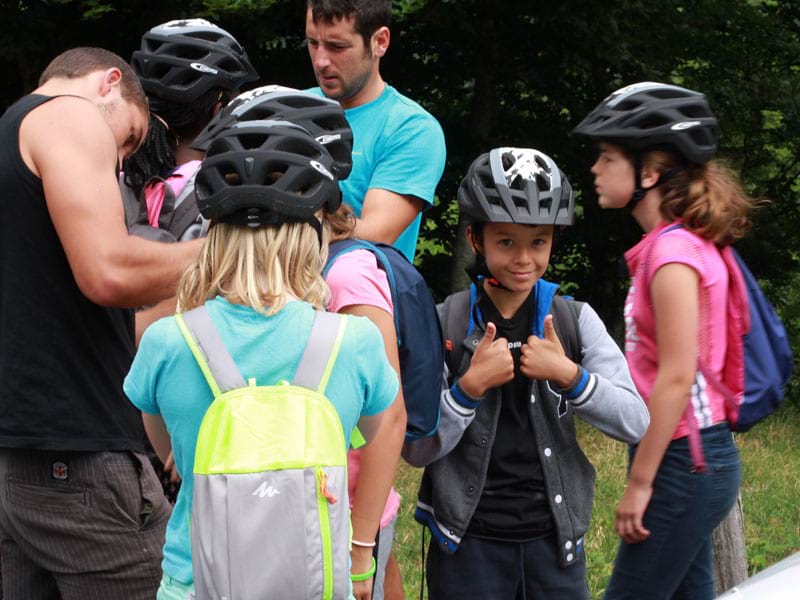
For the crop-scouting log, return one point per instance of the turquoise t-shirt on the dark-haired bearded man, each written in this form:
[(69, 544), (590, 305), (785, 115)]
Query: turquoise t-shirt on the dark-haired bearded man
[(397, 146)]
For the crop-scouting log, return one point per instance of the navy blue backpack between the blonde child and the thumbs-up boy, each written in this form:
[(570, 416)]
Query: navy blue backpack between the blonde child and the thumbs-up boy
[(419, 337)]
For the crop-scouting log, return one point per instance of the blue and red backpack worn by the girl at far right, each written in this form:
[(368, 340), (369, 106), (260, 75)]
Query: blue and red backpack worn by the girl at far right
[(759, 359)]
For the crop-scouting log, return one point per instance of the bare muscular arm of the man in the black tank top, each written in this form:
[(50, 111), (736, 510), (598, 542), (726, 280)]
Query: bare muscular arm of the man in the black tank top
[(67, 142)]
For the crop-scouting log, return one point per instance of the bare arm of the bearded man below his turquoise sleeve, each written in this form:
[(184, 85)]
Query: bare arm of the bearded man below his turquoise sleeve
[(385, 215)]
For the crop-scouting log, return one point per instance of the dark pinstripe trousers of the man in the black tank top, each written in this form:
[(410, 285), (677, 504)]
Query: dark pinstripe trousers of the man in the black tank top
[(80, 525)]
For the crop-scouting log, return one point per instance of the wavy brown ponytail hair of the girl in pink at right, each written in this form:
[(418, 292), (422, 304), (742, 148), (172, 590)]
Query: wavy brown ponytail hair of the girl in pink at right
[(709, 198)]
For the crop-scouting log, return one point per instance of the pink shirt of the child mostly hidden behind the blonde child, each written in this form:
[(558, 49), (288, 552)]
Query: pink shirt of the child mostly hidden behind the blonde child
[(355, 278)]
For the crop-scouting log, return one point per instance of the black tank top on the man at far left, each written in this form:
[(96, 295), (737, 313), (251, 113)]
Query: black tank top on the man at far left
[(62, 357)]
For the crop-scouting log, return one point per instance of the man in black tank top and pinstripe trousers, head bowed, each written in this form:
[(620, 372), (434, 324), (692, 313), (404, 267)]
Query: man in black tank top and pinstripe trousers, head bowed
[(81, 513)]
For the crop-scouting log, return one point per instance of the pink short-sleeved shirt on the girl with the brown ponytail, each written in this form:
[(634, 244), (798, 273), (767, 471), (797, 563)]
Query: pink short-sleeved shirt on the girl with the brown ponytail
[(644, 259)]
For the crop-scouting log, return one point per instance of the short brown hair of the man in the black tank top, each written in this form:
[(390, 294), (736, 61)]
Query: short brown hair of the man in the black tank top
[(79, 62)]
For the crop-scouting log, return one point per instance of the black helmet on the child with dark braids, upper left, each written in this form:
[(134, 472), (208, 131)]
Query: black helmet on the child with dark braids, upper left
[(181, 60)]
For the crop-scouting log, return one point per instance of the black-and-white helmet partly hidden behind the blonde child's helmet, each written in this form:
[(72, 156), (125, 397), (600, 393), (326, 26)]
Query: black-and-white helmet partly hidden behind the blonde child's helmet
[(321, 117)]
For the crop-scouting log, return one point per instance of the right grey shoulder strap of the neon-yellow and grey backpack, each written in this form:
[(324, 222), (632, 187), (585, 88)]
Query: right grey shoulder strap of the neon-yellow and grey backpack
[(322, 348)]
